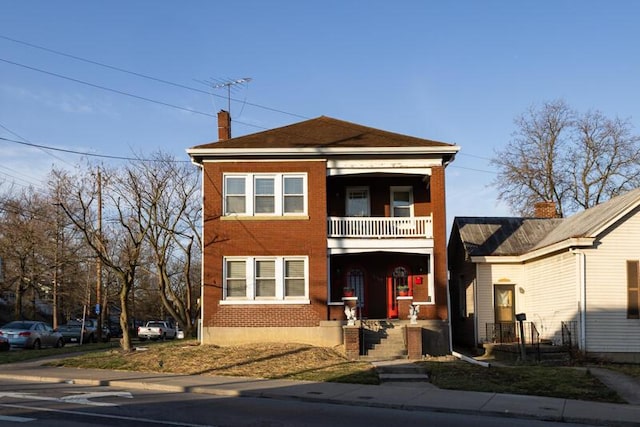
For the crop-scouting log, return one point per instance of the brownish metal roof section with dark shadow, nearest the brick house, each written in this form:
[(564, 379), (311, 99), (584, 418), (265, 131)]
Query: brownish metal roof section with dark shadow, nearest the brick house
[(495, 236)]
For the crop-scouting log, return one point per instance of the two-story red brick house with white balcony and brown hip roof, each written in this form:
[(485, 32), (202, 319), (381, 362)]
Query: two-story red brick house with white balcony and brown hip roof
[(296, 216)]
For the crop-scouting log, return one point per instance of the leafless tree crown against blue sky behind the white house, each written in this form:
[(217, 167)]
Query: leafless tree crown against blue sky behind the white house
[(574, 160)]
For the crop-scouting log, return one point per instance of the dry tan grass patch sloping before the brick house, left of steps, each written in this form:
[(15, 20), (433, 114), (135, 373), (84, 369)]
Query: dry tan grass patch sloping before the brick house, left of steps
[(268, 360)]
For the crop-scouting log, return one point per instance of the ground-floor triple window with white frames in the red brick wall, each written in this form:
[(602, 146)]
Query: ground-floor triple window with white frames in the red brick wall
[(265, 278)]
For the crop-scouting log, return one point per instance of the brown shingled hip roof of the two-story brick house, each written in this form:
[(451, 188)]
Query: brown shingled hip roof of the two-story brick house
[(323, 132)]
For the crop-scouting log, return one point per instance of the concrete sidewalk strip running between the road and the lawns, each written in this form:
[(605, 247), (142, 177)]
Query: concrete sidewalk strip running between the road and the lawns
[(417, 397)]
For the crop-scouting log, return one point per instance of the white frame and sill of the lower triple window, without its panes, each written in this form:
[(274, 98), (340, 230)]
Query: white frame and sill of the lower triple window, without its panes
[(279, 298)]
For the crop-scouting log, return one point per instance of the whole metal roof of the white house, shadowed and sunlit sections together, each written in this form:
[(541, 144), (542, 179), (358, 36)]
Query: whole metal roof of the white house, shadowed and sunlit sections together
[(504, 236)]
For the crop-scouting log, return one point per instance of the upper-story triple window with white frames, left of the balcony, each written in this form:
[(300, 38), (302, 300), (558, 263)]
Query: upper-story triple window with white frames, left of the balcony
[(265, 194)]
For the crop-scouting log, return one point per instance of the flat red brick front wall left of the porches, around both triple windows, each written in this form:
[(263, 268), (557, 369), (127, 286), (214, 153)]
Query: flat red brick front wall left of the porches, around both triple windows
[(264, 237)]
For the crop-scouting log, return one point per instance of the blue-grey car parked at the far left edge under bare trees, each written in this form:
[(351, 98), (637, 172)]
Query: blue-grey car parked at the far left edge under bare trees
[(31, 334)]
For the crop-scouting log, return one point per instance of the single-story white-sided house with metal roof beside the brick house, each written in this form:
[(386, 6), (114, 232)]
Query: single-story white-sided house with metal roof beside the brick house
[(582, 272)]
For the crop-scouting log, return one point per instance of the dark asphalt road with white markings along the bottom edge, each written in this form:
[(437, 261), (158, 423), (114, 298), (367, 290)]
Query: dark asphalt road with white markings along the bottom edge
[(47, 404)]
